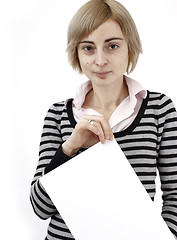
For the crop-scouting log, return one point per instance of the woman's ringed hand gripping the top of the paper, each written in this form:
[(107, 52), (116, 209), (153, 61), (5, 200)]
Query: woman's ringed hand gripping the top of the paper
[(87, 133)]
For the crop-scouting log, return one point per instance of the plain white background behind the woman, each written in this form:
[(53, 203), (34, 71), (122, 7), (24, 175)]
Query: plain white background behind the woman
[(34, 73)]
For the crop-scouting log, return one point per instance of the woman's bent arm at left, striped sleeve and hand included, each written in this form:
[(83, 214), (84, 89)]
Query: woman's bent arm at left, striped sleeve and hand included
[(53, 152)]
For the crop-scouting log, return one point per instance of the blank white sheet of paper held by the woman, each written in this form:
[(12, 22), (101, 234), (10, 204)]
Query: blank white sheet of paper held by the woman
[(99, 196)]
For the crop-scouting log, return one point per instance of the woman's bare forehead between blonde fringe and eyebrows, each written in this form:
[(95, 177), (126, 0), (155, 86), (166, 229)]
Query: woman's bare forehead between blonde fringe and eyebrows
[(108, 29)]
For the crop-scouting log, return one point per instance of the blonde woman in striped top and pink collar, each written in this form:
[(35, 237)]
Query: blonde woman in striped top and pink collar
[(104, 45)]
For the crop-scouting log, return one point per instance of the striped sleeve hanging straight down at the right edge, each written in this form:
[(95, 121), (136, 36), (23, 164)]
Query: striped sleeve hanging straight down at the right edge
[(167, 162)]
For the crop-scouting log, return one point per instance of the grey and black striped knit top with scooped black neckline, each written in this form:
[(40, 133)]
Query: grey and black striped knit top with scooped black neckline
[(149, 143)]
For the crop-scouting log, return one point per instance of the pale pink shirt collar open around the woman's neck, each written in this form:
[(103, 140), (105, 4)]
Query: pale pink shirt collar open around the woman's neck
[(123, 115)]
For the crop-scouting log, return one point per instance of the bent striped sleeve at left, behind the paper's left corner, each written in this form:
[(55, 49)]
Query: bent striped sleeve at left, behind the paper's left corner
[(50, 157)]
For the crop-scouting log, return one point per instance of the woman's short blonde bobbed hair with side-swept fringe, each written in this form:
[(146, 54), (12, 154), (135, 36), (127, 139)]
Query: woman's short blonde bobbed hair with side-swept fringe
[(90, 16)]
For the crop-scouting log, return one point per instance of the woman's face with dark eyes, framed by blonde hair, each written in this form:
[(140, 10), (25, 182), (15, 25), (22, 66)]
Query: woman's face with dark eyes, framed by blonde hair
[(103, 55)]
